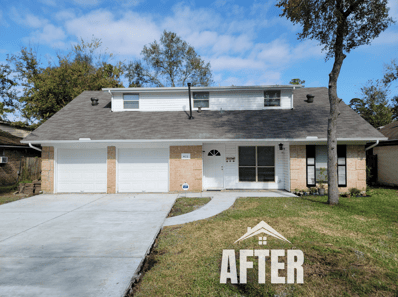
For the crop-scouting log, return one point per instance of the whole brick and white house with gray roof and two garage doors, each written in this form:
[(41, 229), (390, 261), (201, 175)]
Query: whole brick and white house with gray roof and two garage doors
[(252, 137)]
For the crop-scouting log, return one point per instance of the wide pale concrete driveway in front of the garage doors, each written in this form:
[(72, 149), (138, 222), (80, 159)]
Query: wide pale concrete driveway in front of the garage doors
[(77, 244)]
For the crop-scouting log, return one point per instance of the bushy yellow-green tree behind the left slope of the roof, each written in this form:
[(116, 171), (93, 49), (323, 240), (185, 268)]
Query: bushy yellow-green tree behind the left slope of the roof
[(48, 89)]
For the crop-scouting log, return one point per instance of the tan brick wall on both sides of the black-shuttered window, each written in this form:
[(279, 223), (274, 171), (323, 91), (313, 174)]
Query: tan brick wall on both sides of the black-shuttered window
[(356, 167)]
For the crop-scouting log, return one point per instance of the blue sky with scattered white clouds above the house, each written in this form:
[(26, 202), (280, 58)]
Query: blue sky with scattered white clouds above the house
[(246, 42)]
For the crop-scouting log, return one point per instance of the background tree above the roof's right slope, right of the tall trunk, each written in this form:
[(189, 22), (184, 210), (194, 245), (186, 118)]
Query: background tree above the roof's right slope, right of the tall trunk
[(373, 106)]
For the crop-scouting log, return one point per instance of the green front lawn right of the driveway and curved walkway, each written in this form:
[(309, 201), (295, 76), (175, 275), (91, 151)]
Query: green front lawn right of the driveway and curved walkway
[(350, 249)]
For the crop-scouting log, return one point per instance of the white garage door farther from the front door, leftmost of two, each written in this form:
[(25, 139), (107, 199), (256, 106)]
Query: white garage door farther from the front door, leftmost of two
[(81, 170)]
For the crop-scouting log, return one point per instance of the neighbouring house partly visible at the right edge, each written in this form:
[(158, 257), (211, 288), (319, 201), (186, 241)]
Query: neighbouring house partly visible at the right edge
[(386, 153)]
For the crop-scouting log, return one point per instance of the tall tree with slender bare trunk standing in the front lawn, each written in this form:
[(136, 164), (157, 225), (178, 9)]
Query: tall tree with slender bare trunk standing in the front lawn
[(339, 26)]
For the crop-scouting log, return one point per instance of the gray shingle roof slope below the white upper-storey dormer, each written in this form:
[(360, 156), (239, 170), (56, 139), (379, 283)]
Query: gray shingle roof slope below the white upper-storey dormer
[(79, 119)]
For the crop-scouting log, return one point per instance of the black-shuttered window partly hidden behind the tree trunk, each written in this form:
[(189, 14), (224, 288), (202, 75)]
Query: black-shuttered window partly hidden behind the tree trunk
[(317, 158)]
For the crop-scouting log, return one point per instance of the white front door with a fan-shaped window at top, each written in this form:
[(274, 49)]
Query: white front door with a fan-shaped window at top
[(213, 166)]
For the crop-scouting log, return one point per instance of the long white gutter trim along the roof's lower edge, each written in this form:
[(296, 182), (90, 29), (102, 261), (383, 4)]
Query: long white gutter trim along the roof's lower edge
[(203, 140)]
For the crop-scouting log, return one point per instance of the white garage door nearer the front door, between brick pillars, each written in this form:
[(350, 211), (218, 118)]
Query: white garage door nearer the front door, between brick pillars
[(143, 170)]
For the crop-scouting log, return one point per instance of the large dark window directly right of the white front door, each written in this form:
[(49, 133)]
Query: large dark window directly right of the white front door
[(256, 163)]
